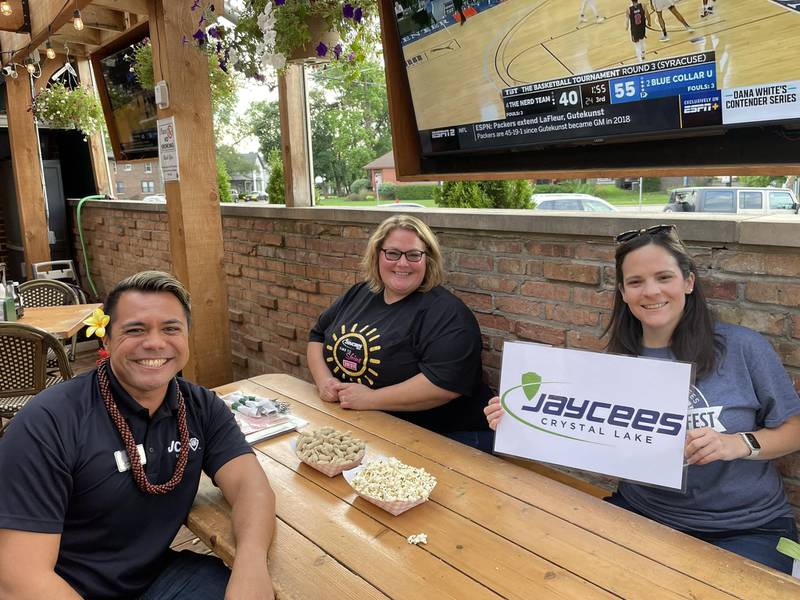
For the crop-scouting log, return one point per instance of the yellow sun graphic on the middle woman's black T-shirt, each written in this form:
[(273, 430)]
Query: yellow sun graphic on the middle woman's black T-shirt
[(352, 354)]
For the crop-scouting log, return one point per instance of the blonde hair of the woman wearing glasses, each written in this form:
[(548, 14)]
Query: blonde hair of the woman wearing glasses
[(434, 271)]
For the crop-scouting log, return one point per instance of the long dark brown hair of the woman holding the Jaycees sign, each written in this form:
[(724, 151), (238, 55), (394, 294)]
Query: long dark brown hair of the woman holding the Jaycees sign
[(693, 339)]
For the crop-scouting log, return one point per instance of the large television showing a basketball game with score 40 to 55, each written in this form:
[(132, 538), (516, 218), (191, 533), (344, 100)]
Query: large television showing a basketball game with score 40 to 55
[(536, 85)]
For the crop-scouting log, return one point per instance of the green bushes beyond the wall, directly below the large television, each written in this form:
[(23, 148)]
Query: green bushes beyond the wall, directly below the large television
[(484, 194)]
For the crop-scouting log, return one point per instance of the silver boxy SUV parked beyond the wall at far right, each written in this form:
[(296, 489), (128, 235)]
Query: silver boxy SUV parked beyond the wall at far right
[(733, 200)]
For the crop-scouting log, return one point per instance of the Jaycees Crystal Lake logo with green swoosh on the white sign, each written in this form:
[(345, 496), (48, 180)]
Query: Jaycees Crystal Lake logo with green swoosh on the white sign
[(588, 420)]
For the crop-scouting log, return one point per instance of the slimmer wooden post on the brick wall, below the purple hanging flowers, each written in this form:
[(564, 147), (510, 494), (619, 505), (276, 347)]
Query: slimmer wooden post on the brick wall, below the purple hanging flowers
[(295, 137)]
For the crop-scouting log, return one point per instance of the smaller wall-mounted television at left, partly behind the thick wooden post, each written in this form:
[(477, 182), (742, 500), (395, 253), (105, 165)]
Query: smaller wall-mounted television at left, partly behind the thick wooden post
[(130, 110)]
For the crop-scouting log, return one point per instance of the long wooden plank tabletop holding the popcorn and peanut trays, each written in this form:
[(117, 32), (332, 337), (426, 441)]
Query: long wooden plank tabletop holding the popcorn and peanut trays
[(494, 529)]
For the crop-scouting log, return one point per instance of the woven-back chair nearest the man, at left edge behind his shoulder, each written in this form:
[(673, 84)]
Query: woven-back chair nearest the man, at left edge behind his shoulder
[(23, 366)]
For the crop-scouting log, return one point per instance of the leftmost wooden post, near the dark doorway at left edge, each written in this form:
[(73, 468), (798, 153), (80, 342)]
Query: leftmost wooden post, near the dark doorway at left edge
[(26, 162)]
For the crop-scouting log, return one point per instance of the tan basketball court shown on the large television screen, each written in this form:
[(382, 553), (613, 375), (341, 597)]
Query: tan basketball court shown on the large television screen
[(523, 41)]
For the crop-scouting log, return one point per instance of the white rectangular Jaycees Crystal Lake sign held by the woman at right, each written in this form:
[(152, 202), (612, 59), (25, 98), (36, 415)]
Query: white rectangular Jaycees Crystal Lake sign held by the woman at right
[(616, 415)]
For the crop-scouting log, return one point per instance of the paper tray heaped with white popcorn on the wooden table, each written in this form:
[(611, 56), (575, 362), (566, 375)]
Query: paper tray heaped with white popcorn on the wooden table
[(390, 484)]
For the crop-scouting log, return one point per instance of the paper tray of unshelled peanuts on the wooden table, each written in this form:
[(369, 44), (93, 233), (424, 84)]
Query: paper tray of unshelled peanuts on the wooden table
[(329, 451)]
